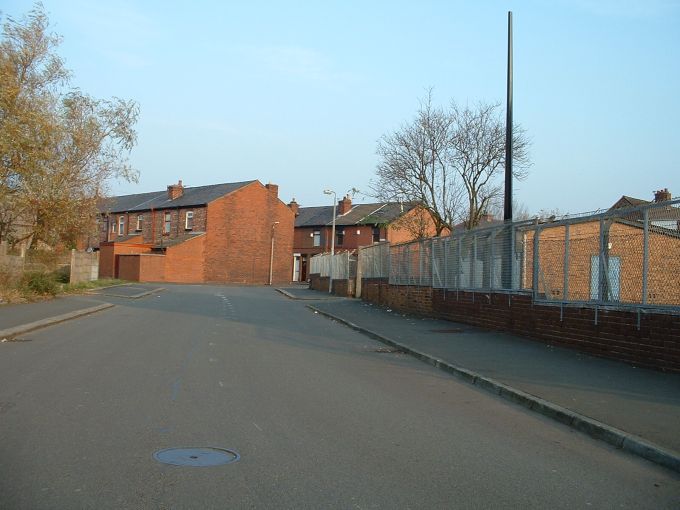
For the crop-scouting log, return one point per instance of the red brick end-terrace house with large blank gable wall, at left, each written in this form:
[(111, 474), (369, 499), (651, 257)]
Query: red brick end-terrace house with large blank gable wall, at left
[(225, 233)]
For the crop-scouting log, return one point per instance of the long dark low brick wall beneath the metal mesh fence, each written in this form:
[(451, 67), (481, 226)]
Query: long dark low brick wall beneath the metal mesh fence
[(606, 333)]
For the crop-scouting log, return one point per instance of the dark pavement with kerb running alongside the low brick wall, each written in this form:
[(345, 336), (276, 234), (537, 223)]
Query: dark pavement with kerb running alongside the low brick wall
[(634, 408)]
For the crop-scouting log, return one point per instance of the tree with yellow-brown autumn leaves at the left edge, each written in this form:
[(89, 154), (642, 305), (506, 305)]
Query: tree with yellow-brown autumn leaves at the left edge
[(58, 146)]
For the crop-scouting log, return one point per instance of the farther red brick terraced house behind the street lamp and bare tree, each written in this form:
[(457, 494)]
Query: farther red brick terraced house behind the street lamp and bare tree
[(355, 226)]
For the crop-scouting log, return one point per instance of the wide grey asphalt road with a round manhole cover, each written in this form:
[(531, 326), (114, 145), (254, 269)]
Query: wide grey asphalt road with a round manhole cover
[(321, 417)]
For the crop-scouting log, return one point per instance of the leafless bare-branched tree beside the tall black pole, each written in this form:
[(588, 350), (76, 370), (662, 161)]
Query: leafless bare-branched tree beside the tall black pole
[(450, 161)]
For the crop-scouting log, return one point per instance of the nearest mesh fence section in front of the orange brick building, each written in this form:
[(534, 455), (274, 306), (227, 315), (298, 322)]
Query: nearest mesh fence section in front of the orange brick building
[(625, 256)]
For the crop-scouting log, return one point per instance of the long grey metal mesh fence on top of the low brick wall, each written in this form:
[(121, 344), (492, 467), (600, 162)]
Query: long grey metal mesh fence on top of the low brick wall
[(618, 257)]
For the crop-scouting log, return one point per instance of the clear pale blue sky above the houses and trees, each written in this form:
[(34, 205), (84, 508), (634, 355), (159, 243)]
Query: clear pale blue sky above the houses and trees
[(299, 93)]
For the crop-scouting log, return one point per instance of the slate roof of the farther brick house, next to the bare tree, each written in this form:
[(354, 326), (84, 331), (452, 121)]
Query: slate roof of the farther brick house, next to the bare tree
[(360, 214)]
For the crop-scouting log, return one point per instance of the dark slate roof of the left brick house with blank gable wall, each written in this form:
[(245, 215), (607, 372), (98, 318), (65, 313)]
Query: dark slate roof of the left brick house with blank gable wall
[(192, 196)]
